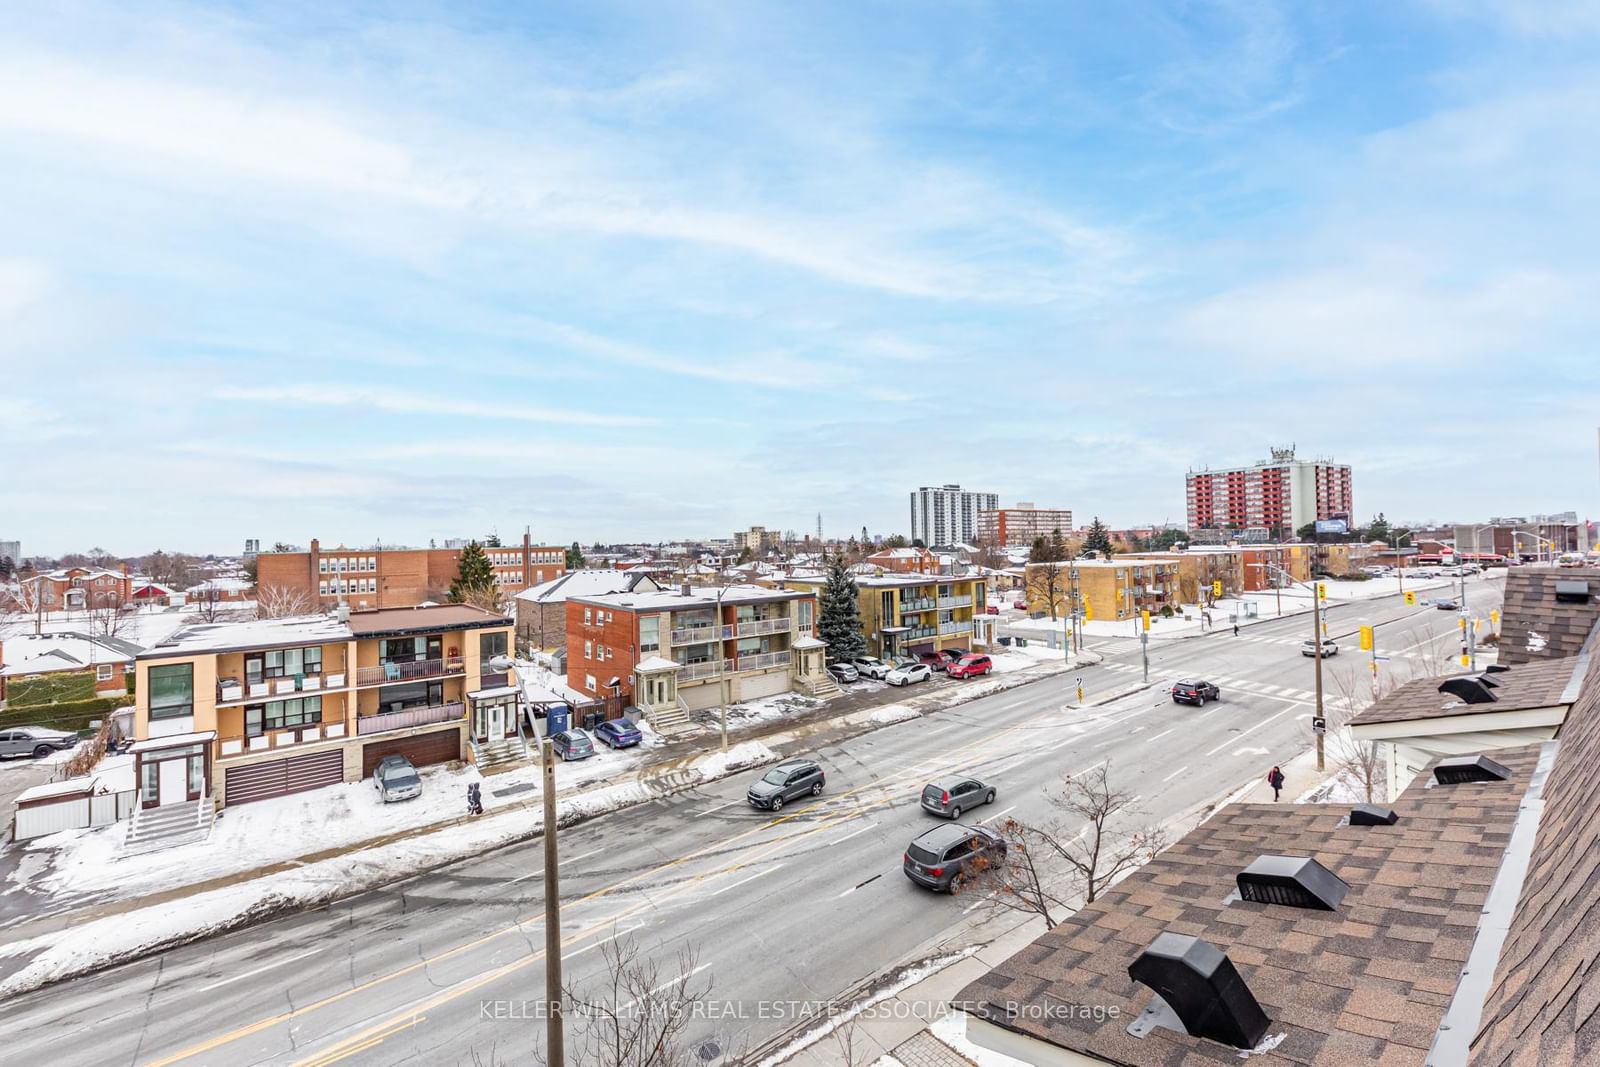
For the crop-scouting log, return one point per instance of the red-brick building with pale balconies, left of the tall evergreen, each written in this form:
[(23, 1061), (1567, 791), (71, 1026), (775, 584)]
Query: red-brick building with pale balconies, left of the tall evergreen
[(673, 652)]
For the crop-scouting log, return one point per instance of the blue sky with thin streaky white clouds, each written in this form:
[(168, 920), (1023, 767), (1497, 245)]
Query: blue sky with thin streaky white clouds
[(642, 271)]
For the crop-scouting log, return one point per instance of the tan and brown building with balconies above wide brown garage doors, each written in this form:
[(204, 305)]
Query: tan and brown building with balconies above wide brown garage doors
[(246, 711)]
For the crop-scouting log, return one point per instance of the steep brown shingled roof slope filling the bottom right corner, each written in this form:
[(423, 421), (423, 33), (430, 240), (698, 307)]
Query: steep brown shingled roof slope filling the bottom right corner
[(1545, 1004)]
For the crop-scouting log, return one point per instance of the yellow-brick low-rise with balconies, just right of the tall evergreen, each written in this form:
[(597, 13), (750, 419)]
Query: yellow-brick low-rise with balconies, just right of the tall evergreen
[(908, 615)]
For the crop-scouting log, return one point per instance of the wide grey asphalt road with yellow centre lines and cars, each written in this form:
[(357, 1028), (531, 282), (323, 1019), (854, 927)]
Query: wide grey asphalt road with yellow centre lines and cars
[(777, 911)]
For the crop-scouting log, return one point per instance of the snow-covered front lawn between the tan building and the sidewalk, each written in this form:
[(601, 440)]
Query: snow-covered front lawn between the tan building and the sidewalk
[(287, 828)]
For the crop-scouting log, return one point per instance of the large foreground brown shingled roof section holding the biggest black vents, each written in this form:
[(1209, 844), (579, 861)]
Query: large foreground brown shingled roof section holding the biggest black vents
[(1364, 985)]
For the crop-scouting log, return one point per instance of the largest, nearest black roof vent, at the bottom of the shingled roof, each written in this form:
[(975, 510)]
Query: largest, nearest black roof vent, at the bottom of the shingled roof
[(1202, 988)]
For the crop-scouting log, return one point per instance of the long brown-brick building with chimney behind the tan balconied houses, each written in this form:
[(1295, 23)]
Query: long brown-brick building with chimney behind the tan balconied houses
[(390, 577)]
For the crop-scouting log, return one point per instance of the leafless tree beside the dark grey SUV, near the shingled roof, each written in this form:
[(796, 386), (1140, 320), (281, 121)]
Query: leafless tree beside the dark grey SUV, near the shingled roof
[(1073, 857)]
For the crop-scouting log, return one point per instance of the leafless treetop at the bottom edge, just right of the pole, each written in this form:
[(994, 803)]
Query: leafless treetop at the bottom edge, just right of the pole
[(638, 1013)]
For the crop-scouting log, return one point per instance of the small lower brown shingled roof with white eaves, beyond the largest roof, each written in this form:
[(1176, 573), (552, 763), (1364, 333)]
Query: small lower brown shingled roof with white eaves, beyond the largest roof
[(1518, 689)]
